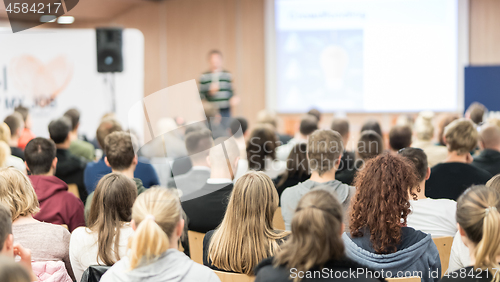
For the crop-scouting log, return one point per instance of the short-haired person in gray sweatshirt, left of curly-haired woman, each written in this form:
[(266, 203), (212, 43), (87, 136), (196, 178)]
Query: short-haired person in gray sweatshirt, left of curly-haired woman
[(324, 150)]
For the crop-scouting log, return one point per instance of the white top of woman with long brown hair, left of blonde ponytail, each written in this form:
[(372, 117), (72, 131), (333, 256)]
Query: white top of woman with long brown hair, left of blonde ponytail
[(83, 248)]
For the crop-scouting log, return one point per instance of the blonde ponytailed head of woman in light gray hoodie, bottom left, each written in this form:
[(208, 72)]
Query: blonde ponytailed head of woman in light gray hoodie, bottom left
[(158, 224)]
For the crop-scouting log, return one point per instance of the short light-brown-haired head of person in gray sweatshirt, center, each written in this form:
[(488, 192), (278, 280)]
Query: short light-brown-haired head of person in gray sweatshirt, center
[(324, 149)]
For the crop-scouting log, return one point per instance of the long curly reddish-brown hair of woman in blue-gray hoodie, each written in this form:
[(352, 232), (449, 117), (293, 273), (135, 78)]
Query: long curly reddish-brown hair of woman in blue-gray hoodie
[(381, 203)]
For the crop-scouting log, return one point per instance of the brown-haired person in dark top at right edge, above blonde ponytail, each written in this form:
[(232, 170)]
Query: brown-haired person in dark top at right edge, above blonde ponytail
[(489, 143)]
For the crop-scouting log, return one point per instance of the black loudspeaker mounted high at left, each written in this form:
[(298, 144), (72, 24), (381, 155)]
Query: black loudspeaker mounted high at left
[(109, 50)]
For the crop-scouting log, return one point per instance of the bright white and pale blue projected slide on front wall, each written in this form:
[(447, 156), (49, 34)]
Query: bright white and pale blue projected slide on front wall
[(366, 56)]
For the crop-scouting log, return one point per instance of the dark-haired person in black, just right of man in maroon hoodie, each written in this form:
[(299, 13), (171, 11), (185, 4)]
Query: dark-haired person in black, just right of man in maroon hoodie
[(69, 167)]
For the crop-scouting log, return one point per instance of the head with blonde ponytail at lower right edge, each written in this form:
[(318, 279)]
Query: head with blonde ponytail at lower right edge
[(478, 219)]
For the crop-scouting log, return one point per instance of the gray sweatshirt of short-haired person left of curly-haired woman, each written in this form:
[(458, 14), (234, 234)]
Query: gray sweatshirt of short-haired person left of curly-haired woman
[(292, 195)]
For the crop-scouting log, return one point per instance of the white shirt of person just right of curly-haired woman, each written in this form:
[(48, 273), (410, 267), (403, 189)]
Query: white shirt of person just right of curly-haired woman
[(436, 217)]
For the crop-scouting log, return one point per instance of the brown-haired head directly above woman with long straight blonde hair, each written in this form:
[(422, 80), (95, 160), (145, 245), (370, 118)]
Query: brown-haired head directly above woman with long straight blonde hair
[(261, 144)]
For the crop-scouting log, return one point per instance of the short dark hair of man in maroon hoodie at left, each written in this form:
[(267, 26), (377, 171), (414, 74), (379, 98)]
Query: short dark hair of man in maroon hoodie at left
[(39, 154)]
